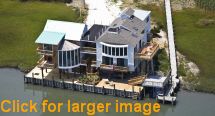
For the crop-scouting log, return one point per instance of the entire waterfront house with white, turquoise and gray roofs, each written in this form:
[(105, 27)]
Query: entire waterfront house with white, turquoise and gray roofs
[(121, 48)]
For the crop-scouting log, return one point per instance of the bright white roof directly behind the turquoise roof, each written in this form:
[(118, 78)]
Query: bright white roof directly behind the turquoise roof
[(73, 31)]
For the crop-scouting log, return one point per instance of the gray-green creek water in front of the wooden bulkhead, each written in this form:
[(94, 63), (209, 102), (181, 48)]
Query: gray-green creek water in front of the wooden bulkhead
[(12, 87)]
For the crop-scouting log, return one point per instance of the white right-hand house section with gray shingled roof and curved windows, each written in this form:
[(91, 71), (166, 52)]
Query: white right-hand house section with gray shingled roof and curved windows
[(123, 39)]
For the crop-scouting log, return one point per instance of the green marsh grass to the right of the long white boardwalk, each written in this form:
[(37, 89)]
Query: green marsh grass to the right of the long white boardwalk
[(197, 42)]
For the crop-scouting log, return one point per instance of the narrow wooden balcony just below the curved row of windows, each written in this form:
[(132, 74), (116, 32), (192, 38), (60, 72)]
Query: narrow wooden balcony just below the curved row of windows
[(114, 68)]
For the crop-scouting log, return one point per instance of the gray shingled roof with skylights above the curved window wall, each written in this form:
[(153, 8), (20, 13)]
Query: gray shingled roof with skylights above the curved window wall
[(128, 30)]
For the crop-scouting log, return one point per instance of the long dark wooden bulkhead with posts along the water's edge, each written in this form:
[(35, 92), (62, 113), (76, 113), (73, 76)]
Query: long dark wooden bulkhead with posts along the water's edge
[(85, 87)]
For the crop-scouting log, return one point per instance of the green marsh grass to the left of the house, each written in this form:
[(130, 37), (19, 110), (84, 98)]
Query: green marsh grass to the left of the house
[(21, 24)]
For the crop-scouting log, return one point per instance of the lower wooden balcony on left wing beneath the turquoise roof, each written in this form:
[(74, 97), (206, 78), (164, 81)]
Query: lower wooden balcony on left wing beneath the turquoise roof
[(42, 63)]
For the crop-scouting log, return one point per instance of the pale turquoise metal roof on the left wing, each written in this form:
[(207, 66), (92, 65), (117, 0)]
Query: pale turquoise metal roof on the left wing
[(52, 38)]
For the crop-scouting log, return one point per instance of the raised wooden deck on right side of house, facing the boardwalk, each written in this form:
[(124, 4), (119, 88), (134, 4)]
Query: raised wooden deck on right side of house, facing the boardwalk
[(148, 51)]
